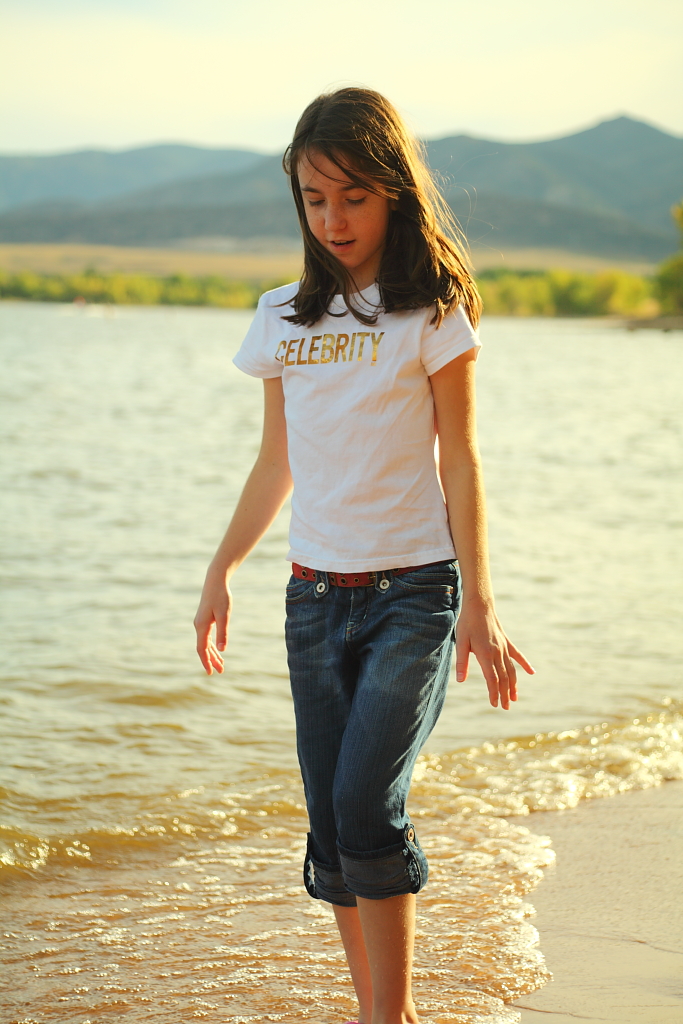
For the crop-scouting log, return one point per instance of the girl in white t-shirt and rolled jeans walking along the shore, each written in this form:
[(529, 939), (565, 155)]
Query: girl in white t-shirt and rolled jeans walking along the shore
[(365, 362)]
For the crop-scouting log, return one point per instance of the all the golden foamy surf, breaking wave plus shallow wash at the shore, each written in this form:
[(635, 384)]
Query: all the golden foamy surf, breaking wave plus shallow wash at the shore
[(199, 909)]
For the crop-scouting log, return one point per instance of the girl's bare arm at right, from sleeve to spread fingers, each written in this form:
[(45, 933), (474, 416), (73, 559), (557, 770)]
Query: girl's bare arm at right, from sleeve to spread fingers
[(479, 631)]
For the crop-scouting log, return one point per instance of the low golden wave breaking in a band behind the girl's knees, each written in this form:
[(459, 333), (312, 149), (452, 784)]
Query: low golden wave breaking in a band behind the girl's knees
[(517, 777)]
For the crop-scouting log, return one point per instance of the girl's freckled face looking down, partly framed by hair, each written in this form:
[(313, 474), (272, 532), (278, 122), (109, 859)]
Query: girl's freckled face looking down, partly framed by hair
[(349, 221)]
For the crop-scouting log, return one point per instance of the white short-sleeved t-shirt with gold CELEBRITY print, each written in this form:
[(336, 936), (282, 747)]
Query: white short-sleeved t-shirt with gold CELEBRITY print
[(361, 430)]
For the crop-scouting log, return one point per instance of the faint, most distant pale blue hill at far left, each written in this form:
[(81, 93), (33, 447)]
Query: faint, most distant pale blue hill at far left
[(93, 176)]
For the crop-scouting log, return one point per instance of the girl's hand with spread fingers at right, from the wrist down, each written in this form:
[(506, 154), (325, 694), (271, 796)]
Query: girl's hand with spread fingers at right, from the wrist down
[(480, 632)]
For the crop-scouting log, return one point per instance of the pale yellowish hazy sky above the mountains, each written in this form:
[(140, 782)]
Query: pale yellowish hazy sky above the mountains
[(118, 73)]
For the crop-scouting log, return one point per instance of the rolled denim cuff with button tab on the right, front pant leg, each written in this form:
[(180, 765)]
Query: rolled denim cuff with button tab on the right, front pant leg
[(395, 871)]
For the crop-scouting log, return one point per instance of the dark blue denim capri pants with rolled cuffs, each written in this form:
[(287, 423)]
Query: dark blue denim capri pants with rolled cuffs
[(369, 669)]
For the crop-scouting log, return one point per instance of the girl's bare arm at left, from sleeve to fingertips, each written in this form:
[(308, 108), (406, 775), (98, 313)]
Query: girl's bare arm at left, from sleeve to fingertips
[(266, 492)]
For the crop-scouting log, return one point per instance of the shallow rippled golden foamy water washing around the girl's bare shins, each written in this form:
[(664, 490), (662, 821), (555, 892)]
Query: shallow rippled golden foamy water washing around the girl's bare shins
[(221, 927)]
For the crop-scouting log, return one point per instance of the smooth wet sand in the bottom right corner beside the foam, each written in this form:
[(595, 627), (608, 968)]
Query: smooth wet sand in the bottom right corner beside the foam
[(611, 912)]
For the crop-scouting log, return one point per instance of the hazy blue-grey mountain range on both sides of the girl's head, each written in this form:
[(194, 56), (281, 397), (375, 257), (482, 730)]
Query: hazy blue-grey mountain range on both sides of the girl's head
[(607, 191)]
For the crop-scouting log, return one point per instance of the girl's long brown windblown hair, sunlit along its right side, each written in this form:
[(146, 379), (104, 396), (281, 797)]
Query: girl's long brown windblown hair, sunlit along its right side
[(424, 263)]
